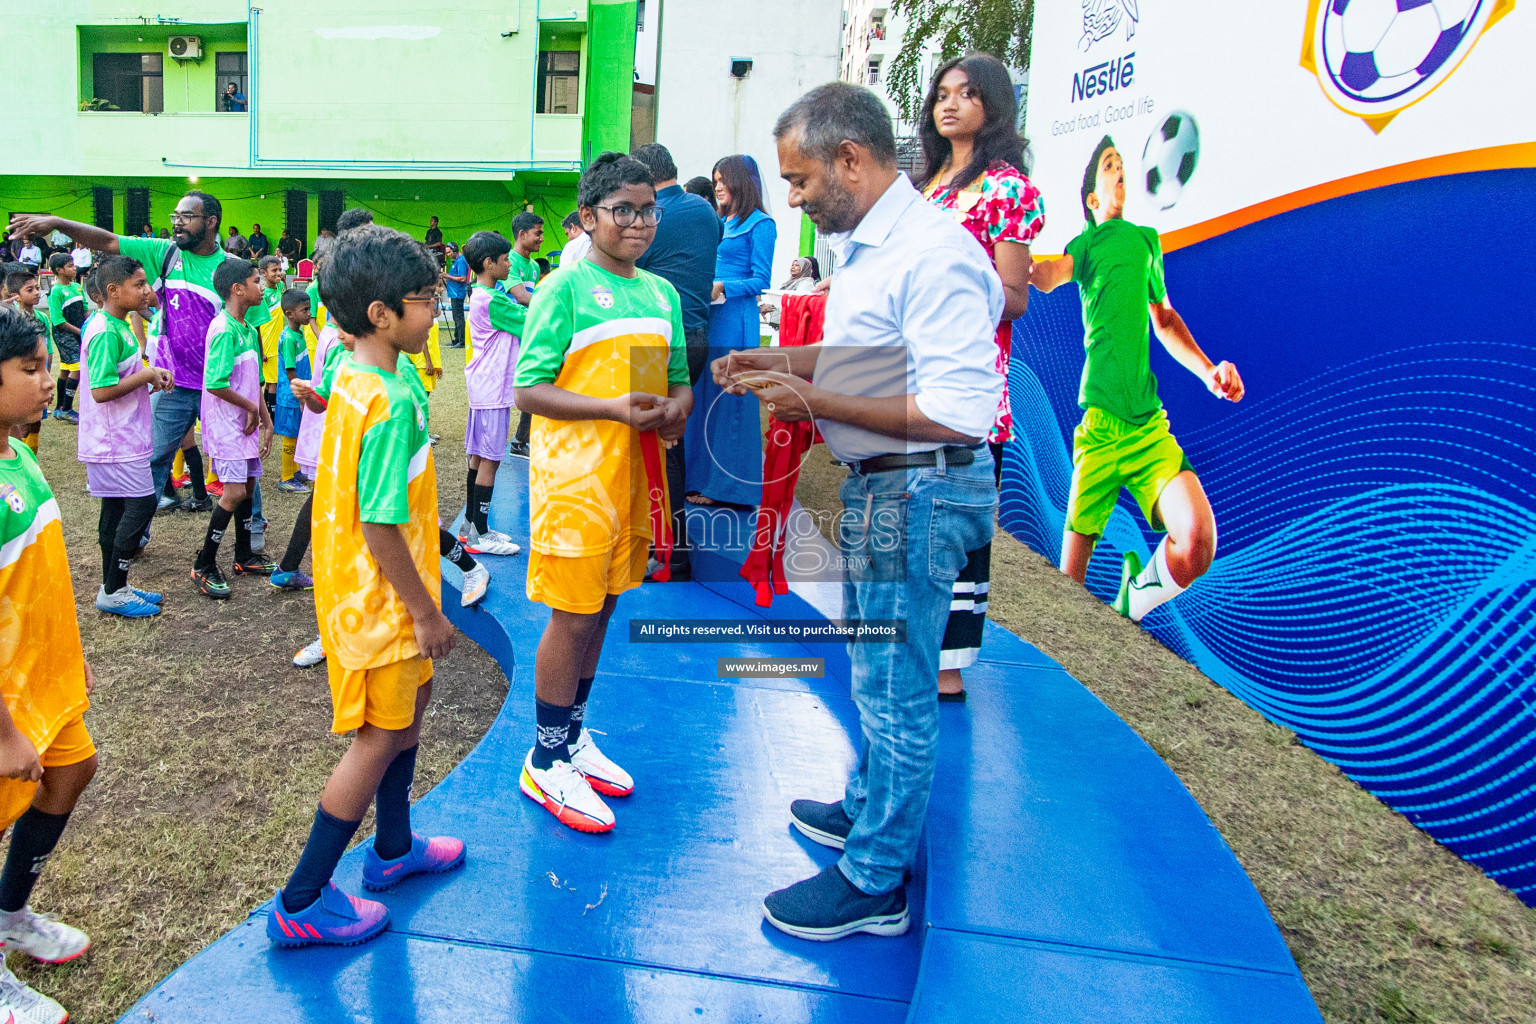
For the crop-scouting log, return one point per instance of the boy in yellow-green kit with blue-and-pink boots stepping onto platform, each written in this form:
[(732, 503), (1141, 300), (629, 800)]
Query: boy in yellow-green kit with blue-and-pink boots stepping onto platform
[(377, 589)]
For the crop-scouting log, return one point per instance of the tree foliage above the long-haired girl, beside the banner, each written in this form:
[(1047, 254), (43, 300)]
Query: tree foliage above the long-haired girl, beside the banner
[(958, 27)]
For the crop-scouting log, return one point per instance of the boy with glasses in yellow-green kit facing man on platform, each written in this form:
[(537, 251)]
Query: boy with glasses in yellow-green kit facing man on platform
[(604, 374)]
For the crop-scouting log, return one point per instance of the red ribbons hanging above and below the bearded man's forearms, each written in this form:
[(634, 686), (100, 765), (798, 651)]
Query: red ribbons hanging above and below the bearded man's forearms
[(799, 325)]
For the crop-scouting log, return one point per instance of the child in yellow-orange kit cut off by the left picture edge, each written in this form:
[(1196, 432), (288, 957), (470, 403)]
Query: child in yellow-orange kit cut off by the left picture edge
[(47, 756)]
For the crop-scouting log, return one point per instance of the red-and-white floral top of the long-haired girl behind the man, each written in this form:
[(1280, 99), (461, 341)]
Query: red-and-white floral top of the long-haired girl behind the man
[(1001, 205)]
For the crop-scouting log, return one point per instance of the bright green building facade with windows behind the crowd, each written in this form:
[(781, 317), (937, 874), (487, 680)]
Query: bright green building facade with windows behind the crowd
[(465, 110)]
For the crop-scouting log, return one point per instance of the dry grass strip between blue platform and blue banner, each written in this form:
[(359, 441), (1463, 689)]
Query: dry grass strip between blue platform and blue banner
[(1385, 923)]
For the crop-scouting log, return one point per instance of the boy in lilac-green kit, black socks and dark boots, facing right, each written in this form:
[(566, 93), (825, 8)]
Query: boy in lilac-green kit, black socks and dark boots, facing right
[(237, 429)]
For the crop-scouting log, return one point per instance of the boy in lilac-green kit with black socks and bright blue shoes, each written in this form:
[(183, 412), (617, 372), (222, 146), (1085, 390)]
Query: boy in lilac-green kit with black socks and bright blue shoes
[(114, 438)]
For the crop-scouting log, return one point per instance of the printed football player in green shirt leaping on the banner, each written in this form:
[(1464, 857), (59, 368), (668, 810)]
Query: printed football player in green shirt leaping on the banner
[(1124, 438)]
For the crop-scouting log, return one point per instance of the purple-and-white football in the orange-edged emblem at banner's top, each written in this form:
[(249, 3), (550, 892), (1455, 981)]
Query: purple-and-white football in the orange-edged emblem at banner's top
[(1379, 56)]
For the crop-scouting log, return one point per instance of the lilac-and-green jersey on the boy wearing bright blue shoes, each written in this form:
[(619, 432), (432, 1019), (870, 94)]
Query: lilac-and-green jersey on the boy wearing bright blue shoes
[(118, 431)]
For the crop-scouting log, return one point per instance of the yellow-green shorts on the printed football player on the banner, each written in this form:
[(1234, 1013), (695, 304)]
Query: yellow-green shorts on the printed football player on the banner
[(1110, 454)]
